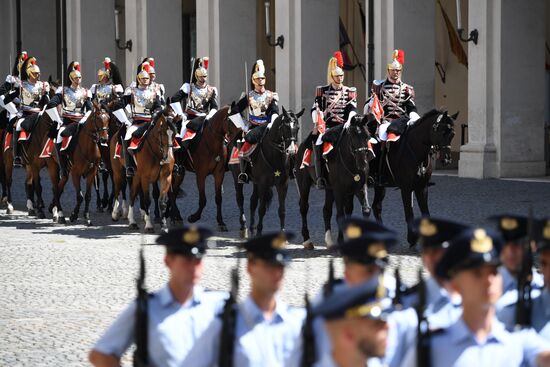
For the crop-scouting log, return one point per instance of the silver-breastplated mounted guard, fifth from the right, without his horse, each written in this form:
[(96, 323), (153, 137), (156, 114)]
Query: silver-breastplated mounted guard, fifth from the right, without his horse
[(141, 100)]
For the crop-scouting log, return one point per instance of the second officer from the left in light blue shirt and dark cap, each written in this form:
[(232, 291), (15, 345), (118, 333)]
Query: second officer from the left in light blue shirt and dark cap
[(265, 331)]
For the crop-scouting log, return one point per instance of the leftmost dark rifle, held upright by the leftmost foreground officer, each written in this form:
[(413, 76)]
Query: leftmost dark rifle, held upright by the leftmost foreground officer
[(141, 354)]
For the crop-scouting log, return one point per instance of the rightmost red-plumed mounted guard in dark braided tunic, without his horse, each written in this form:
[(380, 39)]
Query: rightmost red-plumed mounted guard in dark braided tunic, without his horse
[(396, 99)]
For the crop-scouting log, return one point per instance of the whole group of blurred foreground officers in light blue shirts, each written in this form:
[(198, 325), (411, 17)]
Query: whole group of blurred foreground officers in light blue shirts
[(481, 302)]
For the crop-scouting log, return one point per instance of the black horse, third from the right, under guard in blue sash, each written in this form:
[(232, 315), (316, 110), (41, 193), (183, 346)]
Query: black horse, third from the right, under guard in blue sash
[(270, 166)]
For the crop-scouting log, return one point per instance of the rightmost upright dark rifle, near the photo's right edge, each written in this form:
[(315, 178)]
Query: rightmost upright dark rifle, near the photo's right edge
[(525, 277)]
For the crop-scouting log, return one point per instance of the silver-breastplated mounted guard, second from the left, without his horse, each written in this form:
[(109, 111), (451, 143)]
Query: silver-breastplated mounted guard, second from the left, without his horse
[(76, 108)]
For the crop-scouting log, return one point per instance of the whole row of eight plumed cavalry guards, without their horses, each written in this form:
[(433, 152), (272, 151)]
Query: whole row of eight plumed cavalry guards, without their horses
[(24, 96)]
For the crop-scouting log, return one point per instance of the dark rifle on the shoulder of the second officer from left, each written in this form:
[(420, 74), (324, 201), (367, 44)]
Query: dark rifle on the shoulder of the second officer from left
[(229, 321)]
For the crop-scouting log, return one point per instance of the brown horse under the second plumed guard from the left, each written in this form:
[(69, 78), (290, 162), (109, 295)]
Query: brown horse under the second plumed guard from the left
[(84, 158)]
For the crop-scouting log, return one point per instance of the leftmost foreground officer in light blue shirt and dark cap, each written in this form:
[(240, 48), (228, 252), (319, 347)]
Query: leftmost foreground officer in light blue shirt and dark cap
[(177, 314)]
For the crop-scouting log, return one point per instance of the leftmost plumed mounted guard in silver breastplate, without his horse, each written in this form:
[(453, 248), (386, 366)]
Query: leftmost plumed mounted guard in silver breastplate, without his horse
[(32, 96)]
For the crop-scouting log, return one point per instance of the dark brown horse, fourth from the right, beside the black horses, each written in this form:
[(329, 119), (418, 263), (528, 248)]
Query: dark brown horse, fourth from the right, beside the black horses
[(207, 156)]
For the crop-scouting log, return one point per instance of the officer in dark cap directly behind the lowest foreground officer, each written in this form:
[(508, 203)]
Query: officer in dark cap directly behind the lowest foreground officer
[(365, 255)]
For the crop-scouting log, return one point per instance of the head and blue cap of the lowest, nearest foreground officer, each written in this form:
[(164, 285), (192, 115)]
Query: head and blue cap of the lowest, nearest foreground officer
[(354, 318)]
